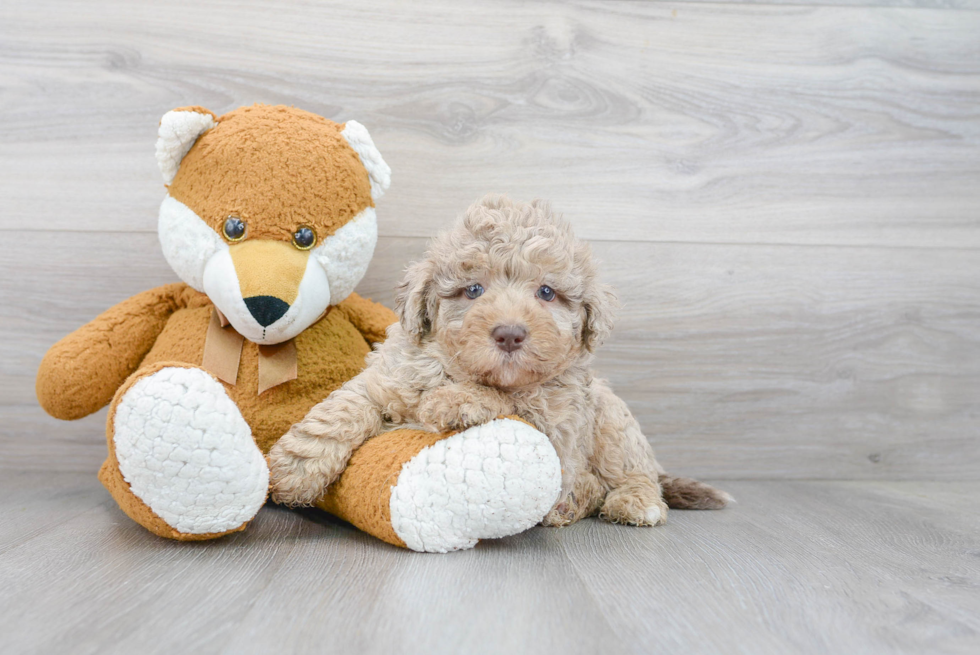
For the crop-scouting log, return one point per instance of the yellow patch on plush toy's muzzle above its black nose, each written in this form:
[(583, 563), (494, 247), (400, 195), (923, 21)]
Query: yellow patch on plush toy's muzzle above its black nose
[(269, 268)]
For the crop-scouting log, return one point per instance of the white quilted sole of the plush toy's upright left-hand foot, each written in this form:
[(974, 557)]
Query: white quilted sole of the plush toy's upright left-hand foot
[(185, 450)]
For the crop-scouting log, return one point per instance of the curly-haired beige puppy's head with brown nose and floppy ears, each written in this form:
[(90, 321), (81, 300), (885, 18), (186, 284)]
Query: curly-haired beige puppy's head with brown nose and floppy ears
[(508, 297)]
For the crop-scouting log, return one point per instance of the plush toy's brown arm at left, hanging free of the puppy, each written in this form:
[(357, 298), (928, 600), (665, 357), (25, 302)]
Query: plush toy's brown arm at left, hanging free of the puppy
[(80, 374)]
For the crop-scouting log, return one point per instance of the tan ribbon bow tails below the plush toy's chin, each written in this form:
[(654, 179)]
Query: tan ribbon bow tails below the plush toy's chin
[(223, 355)]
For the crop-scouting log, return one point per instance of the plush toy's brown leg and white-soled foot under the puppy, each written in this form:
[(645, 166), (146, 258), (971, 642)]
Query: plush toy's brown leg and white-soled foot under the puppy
[(436, 493)]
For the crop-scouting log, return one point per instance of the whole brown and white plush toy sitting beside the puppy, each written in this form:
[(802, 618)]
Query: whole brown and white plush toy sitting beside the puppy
[(270, 223)]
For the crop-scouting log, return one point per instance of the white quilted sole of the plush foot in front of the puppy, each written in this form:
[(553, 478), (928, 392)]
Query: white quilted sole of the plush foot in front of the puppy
[(492, 480)]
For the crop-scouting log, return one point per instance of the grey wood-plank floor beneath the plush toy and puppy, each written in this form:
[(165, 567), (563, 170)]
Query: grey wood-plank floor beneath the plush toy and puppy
[(802, 567)]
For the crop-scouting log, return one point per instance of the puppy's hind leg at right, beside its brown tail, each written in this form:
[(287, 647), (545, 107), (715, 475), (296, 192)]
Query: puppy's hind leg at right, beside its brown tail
[(624, 460)]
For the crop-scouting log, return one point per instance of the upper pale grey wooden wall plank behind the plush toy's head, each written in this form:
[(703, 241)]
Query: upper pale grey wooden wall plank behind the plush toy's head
[(730, 123)]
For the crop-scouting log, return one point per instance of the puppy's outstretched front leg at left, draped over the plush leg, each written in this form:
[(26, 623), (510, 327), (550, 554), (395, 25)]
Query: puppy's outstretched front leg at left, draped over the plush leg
[(315, 451)]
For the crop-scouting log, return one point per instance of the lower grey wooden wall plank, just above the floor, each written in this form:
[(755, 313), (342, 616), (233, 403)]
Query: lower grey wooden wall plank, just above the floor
[(739, 361)]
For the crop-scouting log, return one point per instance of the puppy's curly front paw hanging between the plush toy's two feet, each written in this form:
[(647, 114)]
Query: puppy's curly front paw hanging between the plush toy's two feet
[(297, 479)]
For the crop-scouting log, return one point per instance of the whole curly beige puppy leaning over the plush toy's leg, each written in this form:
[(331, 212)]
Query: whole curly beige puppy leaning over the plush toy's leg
[(454, 361)]
